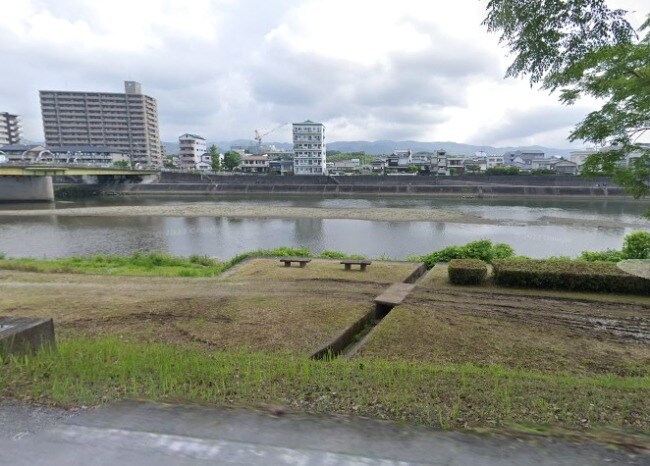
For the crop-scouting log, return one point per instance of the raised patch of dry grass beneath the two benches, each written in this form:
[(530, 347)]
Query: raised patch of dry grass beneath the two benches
[(321, 269)]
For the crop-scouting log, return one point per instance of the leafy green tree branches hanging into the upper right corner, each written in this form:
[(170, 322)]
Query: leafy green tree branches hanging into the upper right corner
[(583, 48)]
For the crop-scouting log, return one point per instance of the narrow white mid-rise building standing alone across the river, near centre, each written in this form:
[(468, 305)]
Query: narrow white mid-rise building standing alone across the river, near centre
[(309, 148)]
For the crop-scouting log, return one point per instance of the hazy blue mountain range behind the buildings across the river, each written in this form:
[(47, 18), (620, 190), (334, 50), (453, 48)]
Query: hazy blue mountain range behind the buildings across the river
[(387, 146)]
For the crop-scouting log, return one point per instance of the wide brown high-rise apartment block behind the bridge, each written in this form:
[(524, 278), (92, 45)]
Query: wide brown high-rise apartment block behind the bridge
[(125, 121)]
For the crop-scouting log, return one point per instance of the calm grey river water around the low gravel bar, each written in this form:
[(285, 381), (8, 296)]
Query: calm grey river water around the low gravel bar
[(59, 236)]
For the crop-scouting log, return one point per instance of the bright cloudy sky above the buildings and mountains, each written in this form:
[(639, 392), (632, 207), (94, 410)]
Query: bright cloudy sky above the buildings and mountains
[(375, 69)]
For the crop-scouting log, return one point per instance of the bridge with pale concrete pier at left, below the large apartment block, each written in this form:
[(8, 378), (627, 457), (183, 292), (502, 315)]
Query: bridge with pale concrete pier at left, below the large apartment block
[(34, 182)]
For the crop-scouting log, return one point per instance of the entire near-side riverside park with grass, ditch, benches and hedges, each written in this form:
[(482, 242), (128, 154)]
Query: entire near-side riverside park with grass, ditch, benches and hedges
[(517, 347)]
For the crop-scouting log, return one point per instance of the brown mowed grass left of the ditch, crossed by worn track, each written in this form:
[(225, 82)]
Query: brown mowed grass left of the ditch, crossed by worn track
[(201, 313)]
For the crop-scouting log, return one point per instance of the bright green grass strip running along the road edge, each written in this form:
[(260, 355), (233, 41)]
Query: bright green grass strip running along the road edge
[(84, 371)]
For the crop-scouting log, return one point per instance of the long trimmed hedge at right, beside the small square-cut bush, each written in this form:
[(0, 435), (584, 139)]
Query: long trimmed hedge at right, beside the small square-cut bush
[(568, 275)]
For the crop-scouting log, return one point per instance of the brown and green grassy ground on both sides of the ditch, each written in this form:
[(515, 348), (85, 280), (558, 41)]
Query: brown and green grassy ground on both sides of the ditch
[(245, 339)]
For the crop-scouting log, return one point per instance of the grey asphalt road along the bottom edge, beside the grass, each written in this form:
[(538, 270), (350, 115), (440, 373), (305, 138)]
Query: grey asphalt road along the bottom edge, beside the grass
[(157, 434)]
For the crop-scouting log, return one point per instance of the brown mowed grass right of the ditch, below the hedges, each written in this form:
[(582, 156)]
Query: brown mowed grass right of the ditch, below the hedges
[(441, 334)]
